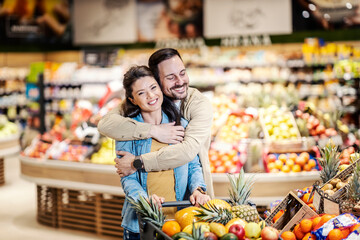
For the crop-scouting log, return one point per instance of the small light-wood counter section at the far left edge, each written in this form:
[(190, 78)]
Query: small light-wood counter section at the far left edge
[(8, 146)]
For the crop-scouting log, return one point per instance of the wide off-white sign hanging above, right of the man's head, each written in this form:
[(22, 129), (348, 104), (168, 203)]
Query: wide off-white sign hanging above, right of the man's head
[(242, 17)]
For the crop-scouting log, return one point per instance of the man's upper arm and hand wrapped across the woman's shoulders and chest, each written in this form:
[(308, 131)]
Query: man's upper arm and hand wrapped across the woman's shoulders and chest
[(115, 126)]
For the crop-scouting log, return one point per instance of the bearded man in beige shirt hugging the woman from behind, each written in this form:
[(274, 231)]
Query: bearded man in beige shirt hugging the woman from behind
[(170, 72)]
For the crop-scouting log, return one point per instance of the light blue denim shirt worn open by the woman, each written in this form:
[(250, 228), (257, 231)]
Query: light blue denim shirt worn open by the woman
[(187, 177)]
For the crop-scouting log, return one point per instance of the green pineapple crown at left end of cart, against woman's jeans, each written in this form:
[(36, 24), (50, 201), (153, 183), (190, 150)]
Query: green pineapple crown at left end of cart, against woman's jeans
[(148, 211)]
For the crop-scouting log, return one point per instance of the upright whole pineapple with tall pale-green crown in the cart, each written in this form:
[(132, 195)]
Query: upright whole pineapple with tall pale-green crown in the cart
[(239, 193)]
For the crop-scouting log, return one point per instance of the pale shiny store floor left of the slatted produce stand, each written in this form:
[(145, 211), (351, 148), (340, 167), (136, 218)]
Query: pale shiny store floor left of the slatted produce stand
[(18, 210)]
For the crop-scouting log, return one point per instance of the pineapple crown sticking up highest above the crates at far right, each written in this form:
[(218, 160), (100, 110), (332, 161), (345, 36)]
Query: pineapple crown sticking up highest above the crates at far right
[(329, 161)]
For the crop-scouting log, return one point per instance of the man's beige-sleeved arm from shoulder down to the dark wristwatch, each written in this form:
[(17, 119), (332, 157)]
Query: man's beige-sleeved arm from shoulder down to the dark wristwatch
[(199, 113)]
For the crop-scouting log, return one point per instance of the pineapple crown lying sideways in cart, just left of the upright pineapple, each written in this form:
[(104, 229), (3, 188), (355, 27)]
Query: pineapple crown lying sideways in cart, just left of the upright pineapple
[(213, 213)]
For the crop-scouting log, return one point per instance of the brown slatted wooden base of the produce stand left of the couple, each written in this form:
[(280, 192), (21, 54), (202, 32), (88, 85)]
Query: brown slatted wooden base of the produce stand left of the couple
[(86, 211)]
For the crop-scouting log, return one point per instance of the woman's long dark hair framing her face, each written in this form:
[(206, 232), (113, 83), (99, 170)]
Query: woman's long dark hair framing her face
[(131, 110)]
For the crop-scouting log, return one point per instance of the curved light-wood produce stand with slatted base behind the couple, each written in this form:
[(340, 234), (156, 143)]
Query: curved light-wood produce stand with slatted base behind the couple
[(88, 197)]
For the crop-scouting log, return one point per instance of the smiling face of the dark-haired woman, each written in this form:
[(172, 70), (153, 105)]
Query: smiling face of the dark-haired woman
[(147, 94)]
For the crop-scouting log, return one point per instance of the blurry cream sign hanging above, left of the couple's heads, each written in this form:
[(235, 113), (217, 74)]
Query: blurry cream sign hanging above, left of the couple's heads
[(105, 22)]
